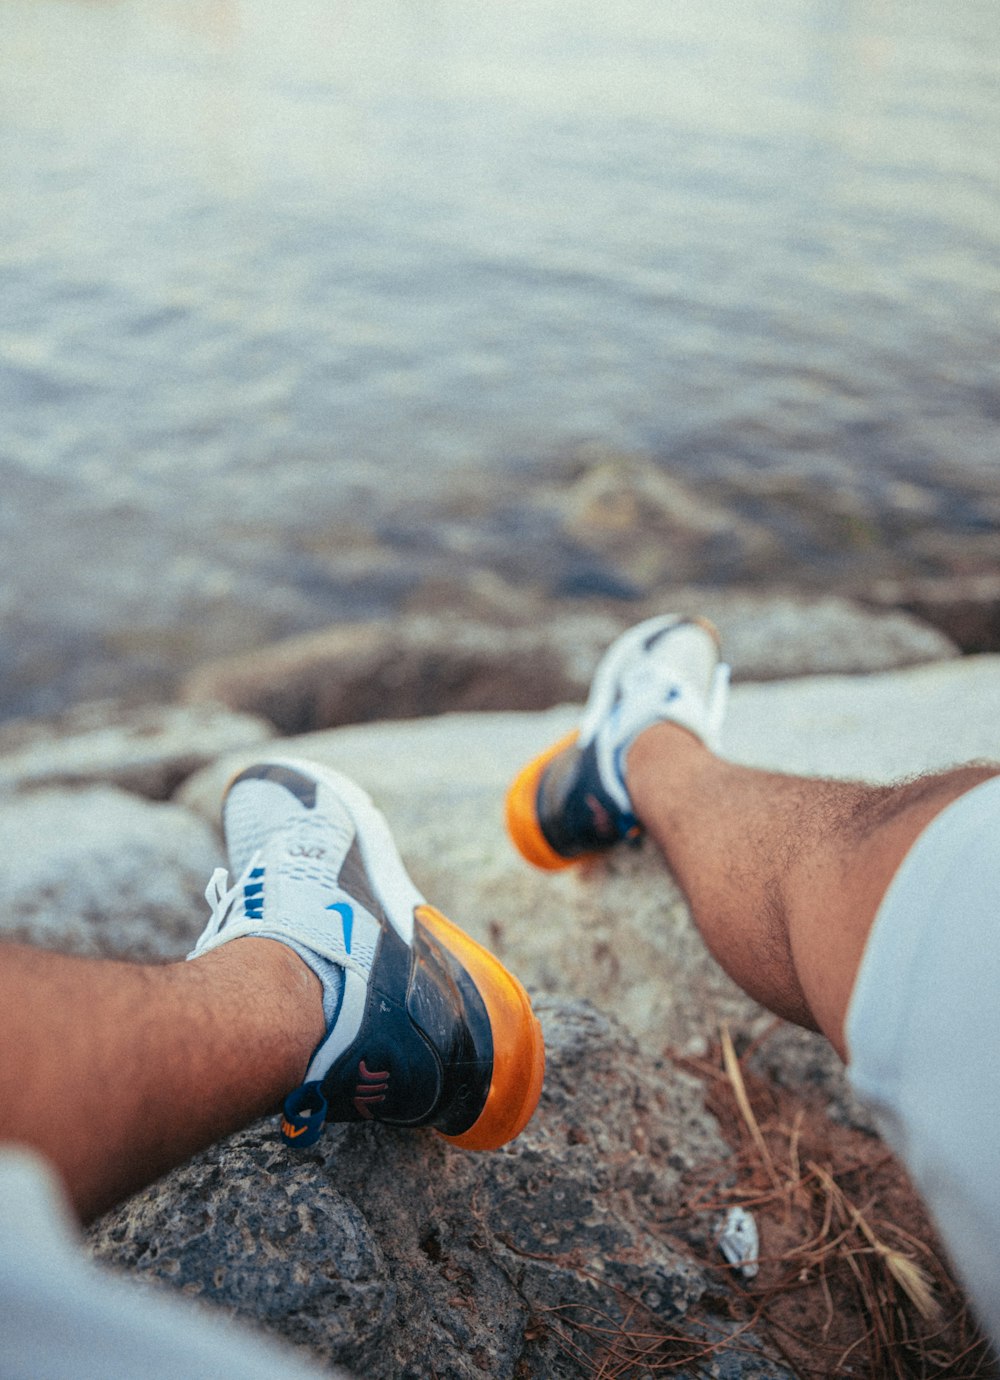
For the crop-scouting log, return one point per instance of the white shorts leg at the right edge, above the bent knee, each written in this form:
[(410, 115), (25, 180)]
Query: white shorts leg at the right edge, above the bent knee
[(923, 1032)]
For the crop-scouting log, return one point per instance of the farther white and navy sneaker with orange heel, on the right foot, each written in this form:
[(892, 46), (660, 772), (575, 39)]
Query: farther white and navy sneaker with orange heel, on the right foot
[(573, 802)]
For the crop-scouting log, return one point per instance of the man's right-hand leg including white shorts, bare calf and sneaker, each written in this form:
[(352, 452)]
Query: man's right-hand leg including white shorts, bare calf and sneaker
[(787, 877)]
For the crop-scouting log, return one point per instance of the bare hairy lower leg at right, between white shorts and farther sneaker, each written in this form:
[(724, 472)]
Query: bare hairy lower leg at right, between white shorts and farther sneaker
[(784, 874)]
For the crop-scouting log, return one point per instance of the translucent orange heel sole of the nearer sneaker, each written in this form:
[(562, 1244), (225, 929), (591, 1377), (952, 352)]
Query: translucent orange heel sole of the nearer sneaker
[(518, 1045)]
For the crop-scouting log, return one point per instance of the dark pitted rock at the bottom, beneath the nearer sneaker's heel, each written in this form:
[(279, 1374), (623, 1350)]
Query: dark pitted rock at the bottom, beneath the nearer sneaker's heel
[(401, 1256)]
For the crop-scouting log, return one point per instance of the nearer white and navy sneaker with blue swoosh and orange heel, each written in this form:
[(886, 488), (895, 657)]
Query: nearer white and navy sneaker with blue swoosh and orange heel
[(424, 1026)]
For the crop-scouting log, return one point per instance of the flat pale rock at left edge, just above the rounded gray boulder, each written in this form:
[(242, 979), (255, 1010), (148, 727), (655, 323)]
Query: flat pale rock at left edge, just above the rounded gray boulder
[(148, 751)]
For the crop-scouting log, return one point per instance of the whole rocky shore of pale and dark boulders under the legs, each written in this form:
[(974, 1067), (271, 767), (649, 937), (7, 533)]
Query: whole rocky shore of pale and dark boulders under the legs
[(394, 1255)]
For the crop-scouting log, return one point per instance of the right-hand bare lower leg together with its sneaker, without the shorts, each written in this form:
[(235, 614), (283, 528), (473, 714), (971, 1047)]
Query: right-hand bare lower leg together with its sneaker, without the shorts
[(784, 874)]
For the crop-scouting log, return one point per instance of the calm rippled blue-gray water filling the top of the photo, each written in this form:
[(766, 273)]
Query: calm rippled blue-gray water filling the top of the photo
[(307, 304)]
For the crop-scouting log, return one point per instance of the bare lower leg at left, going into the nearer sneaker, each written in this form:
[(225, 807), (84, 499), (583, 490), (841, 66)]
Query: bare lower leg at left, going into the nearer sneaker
[(123, 1072)]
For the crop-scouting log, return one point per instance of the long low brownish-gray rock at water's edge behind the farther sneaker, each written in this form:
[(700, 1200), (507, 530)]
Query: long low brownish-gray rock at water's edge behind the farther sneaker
[(441, 663)]
